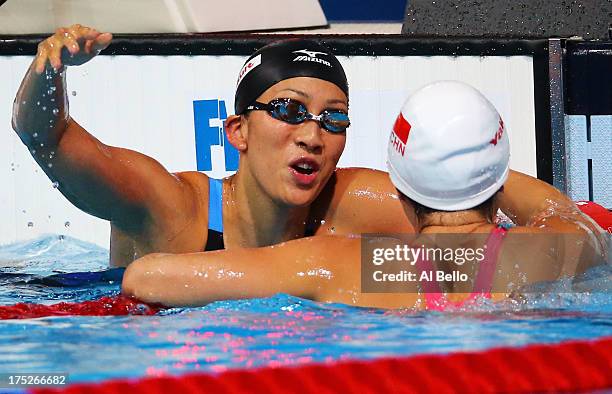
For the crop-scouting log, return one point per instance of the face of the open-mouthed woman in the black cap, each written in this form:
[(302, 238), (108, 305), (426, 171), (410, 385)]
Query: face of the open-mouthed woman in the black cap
[(293, 162)]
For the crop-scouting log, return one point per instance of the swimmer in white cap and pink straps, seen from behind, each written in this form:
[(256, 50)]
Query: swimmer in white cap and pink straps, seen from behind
[(449, 157)]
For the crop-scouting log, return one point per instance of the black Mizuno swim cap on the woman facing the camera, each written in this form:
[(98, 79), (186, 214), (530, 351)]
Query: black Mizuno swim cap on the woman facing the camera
[(283, 60)]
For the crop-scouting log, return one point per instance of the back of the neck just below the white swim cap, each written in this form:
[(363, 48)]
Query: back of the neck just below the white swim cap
[(456, 221)]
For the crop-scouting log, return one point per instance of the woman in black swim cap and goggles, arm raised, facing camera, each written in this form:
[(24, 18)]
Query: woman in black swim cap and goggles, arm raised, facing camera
[(291, 107)]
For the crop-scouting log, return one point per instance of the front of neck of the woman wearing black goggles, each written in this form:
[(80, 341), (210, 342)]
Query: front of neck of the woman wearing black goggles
[(256, 220)]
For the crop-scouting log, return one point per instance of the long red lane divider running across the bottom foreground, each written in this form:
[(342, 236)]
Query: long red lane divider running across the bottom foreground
[(571, 366)]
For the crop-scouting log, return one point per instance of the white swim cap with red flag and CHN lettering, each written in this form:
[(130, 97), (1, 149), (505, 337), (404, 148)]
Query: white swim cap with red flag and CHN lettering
[(449, 148)]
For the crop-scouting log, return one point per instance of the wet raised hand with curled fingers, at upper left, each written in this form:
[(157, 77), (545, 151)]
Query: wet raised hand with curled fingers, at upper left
[(70, 46)]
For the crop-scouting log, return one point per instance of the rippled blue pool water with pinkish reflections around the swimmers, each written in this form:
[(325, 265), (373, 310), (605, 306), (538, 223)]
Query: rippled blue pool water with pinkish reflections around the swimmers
[(280, 330)]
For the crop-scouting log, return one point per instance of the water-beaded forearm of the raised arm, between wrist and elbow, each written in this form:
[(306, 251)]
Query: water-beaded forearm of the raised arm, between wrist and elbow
[(40, 110)]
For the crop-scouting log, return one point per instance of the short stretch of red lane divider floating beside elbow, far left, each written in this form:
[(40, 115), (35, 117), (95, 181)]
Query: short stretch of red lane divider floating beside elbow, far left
[(104, 306)]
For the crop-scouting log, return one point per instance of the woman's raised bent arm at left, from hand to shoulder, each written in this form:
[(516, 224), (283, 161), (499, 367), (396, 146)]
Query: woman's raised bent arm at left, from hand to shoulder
[(132, 190)]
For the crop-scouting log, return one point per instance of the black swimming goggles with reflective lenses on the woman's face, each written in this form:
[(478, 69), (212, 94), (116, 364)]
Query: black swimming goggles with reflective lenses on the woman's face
[(295, 112)]
